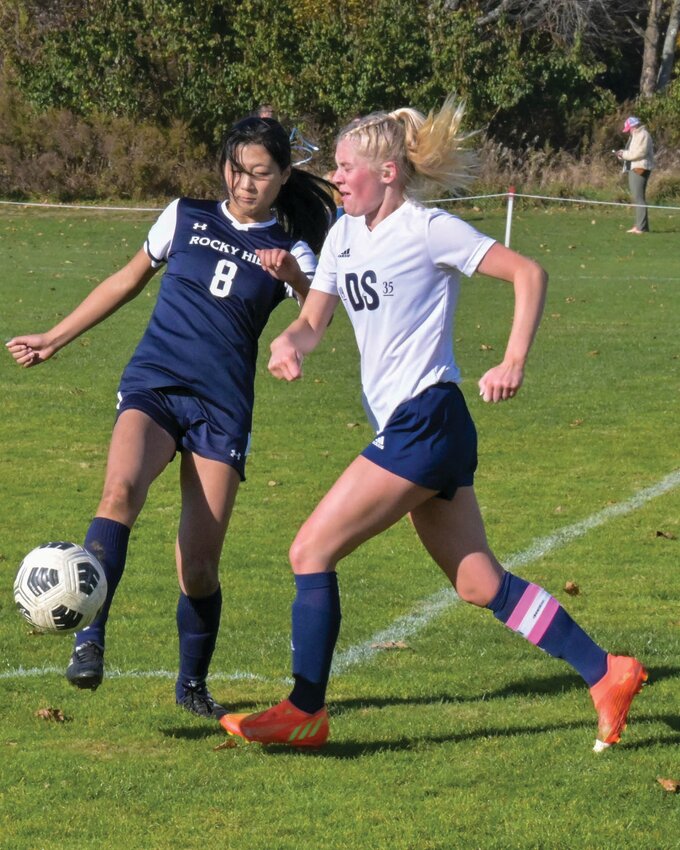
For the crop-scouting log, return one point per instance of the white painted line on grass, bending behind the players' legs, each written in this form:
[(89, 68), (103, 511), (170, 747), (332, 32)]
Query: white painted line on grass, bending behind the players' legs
[(425, 611)]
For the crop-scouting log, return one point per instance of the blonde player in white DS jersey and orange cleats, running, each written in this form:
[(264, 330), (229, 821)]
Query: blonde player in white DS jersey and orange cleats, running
[(396, 265)]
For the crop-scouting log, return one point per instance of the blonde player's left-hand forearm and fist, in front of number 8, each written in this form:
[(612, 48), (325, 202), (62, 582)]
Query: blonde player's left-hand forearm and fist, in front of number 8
[(302, 336)]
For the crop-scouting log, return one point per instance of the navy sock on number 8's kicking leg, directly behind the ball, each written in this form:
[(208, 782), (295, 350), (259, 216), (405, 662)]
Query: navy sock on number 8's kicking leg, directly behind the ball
[(107, 539)]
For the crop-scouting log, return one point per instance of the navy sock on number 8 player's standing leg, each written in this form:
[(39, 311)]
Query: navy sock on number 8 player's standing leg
[(198, 622)]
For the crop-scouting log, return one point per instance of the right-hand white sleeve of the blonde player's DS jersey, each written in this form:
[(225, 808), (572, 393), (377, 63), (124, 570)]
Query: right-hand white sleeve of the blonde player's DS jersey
[(455, 244)]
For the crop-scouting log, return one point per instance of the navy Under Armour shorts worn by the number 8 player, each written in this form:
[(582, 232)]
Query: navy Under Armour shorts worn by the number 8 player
[(195, 424)]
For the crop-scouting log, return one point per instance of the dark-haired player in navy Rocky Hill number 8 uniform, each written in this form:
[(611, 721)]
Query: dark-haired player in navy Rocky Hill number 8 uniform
[(189, 385)]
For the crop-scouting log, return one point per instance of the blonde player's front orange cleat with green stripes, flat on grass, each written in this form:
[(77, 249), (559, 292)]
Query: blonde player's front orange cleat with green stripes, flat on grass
[(282, 724)]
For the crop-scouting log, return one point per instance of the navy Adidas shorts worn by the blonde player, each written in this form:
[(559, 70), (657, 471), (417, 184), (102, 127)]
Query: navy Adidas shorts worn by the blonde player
[(430, 440)]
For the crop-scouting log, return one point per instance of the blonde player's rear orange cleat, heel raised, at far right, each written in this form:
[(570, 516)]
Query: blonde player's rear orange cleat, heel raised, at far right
[(613, 695)]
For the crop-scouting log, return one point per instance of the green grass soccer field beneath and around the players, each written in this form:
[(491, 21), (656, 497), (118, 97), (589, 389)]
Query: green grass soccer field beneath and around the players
[(460, 736)]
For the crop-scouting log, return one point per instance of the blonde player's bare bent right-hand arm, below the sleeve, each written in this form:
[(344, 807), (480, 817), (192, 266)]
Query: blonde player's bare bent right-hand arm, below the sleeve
[(530, 283)]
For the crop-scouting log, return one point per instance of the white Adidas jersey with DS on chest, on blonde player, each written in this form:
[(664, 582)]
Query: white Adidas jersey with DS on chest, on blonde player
[(399, 283)]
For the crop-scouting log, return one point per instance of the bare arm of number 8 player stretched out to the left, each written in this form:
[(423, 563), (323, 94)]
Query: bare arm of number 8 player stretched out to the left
[(105, 299)]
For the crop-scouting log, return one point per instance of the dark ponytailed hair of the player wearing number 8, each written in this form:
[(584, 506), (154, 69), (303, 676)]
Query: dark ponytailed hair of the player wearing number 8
[(304, 206)]
